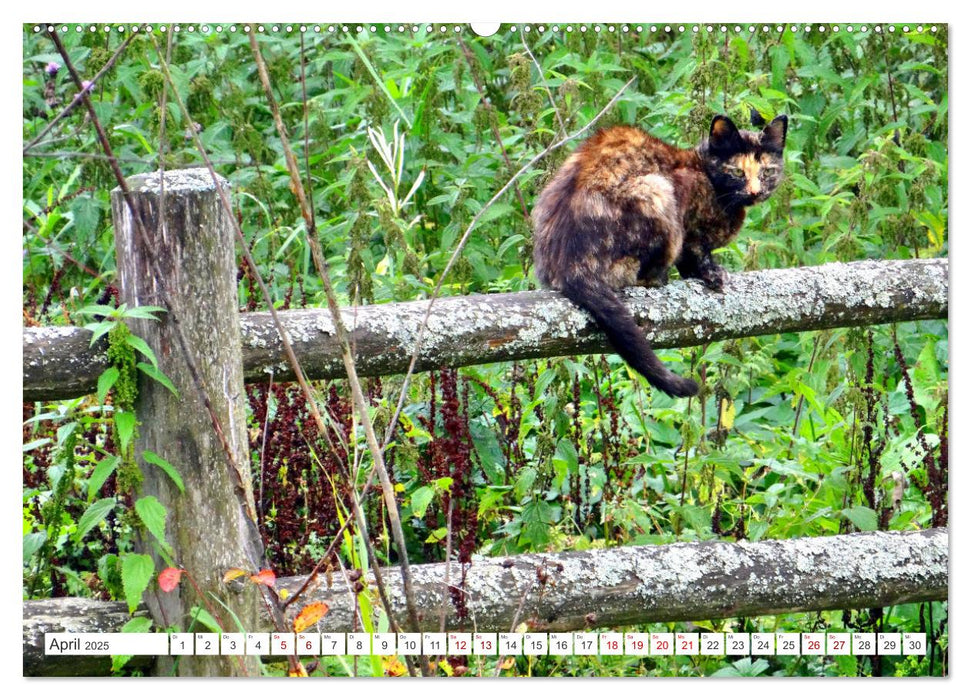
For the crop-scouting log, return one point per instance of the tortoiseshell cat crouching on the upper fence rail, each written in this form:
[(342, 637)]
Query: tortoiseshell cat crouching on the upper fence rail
[(626, 206)]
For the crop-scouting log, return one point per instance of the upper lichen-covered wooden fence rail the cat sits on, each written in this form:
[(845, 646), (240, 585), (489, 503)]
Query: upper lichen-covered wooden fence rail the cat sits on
[(479, 329)]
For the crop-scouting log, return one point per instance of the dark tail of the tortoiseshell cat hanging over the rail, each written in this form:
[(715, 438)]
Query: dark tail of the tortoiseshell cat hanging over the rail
[(627, 338)]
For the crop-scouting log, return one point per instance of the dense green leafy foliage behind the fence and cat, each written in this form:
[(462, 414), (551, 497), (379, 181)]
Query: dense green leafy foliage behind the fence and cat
[(793, 435)]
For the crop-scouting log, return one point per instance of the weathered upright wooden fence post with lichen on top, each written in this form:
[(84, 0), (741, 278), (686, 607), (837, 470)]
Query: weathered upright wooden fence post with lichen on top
[(182, 257)]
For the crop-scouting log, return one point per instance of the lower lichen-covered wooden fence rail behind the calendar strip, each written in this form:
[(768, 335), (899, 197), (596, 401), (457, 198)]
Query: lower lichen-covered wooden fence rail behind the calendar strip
[(608, 588)]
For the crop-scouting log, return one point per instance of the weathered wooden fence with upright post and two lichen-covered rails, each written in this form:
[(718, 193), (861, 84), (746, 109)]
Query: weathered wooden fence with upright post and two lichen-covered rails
[(176, 249)]
